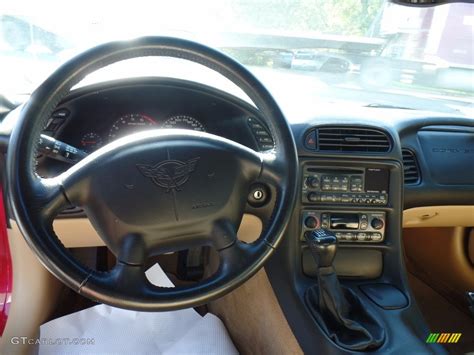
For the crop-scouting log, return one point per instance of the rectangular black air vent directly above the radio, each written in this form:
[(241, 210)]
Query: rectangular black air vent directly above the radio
[(352, 139)]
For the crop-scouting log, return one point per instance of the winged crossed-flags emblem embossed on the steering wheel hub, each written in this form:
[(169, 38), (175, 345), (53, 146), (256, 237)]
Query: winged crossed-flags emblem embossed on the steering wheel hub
[(169, 174)]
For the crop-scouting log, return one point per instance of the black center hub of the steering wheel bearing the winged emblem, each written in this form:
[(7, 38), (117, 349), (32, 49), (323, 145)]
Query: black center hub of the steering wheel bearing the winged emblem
[(163, 187)]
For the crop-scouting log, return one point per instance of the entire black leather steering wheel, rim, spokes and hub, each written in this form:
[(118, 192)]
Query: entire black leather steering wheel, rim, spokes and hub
[(137, 210)]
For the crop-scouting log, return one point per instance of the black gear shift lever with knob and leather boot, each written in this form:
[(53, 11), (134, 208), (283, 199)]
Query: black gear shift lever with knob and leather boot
[(337, 309)]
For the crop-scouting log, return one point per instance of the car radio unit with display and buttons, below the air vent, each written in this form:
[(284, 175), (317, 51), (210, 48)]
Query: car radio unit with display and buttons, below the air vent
[(358, 186)]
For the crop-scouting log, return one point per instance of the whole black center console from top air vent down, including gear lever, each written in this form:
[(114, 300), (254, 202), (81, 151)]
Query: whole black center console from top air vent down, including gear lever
[(343, 255)]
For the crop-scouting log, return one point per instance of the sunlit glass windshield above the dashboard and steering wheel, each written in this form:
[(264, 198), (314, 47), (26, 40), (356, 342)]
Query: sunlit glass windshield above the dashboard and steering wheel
[(369, 52)]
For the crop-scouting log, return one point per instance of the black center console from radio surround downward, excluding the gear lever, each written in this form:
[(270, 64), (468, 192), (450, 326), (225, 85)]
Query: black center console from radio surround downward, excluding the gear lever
[(359, 201)]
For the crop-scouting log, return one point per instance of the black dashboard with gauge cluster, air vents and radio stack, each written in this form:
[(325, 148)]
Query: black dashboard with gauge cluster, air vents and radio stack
[(358, 171)]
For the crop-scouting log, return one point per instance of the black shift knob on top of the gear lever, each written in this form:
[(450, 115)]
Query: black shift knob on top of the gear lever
[(323, 246)]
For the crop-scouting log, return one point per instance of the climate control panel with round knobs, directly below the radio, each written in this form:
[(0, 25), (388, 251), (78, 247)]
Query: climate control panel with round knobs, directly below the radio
[(349, 226)]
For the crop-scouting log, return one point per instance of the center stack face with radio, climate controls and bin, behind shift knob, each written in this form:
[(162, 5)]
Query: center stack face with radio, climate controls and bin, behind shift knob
[(354, 201)]
